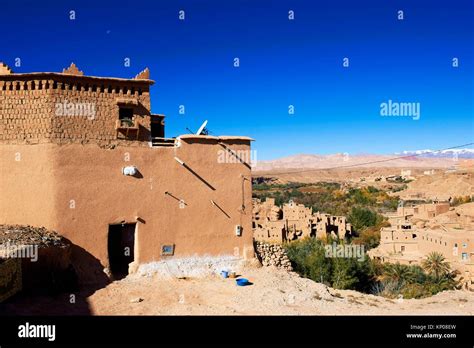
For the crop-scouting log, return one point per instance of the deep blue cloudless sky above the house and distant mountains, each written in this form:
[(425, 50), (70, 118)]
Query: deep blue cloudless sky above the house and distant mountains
[(282, 62)]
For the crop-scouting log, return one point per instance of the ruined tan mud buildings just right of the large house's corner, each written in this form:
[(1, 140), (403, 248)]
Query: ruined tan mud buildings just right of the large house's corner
[(294, 221)]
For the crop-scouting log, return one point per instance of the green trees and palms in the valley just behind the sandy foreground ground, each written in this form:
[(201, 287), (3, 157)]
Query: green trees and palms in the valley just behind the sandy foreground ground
[(308, 257)]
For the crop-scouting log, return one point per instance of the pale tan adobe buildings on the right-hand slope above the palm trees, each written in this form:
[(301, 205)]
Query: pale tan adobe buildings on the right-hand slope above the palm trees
[(417, 231)]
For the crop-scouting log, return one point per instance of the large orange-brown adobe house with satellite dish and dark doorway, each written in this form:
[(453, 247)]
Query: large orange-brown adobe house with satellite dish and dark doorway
[(86, 157)]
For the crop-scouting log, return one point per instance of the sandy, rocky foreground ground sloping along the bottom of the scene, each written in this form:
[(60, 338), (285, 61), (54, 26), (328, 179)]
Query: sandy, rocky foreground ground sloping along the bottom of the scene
[(273, 292)]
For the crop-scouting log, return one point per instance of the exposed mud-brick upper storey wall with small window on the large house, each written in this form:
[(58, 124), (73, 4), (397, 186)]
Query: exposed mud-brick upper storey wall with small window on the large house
[(29, 111)]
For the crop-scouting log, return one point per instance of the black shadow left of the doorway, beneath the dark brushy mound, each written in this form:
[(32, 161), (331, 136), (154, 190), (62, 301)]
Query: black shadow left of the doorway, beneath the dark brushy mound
[(62, 292)]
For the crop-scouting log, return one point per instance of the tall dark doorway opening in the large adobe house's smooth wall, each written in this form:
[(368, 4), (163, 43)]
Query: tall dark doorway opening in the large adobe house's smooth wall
[(121, 243)]
